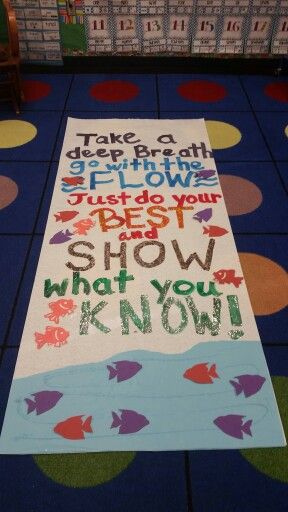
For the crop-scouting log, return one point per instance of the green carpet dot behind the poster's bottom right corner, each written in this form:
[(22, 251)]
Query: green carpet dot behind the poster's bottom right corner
[(273, 462)]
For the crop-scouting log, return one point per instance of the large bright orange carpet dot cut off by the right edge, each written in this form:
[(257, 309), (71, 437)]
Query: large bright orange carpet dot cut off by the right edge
[(267, 283)]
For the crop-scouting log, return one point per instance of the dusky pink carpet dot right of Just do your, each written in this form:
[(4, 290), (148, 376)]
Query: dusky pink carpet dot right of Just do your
[(241, 195)]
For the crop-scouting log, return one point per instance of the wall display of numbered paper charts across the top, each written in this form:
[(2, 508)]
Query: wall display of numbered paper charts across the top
[(135, 27)]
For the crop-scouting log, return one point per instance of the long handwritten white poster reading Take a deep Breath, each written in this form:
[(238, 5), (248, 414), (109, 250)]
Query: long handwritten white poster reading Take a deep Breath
[(139, 333)]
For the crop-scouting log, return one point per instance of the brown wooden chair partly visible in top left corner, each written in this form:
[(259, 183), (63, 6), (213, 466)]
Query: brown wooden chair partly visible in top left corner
[(10, 80)]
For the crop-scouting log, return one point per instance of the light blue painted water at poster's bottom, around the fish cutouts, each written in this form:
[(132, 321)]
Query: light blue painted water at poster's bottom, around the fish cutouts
[(180, 412)]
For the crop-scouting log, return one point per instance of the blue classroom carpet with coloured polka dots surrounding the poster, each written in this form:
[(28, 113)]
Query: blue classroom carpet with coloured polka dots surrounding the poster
[(248, 129)]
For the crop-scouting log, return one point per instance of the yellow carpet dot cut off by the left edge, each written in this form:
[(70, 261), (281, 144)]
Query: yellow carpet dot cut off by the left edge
[(16, 133)]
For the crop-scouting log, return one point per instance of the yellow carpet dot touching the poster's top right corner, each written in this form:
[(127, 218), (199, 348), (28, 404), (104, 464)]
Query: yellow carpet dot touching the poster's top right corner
[(222, 135)]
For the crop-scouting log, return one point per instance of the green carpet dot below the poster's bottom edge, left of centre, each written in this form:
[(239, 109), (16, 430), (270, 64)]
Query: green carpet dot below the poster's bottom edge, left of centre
[(83, 469)]
